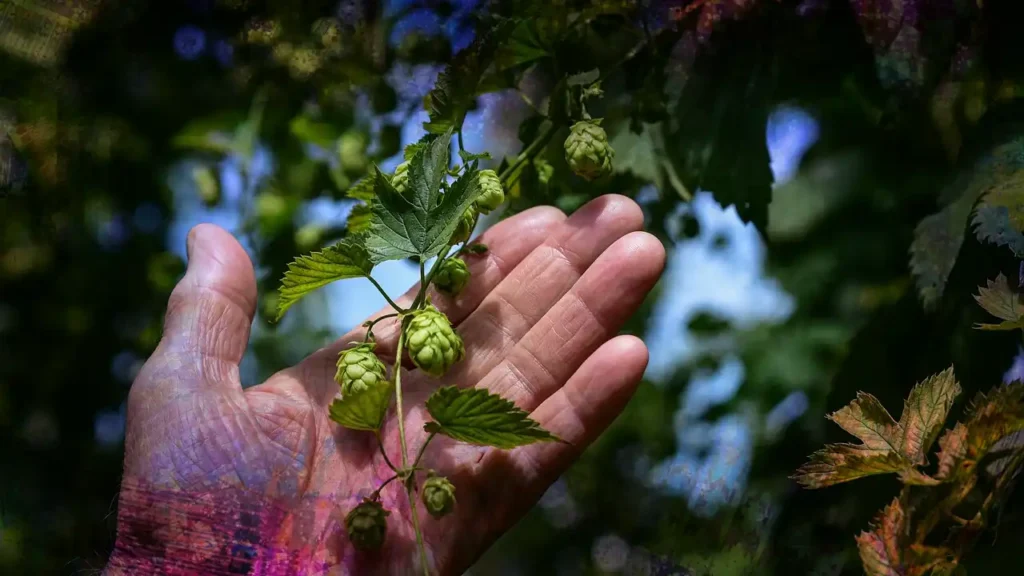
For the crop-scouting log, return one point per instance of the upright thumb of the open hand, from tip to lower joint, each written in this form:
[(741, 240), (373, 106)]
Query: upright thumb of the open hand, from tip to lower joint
[(210, 312)]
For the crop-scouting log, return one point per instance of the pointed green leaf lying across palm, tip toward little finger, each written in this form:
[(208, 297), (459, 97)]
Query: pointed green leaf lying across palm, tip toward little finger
[(478, 417)]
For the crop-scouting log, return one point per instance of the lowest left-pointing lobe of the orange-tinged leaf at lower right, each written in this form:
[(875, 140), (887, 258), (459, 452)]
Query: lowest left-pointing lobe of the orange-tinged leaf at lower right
[(837, 464)]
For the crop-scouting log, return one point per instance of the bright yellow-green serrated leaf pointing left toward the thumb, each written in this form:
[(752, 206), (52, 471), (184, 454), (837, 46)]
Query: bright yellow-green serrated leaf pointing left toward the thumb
[(346, 260)]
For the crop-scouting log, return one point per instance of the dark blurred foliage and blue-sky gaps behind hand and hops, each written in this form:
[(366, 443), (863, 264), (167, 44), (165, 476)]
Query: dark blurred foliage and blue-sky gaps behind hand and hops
[(820, 171)]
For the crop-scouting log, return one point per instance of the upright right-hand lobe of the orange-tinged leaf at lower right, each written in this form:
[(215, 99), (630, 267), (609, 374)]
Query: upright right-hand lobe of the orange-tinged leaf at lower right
[(925, 414)]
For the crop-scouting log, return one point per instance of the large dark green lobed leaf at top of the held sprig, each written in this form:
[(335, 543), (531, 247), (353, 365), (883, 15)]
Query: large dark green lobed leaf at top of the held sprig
[(420, 223)]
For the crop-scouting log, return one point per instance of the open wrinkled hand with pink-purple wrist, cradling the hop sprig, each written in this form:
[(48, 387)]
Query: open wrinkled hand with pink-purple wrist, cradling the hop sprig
[(539, 320)]
